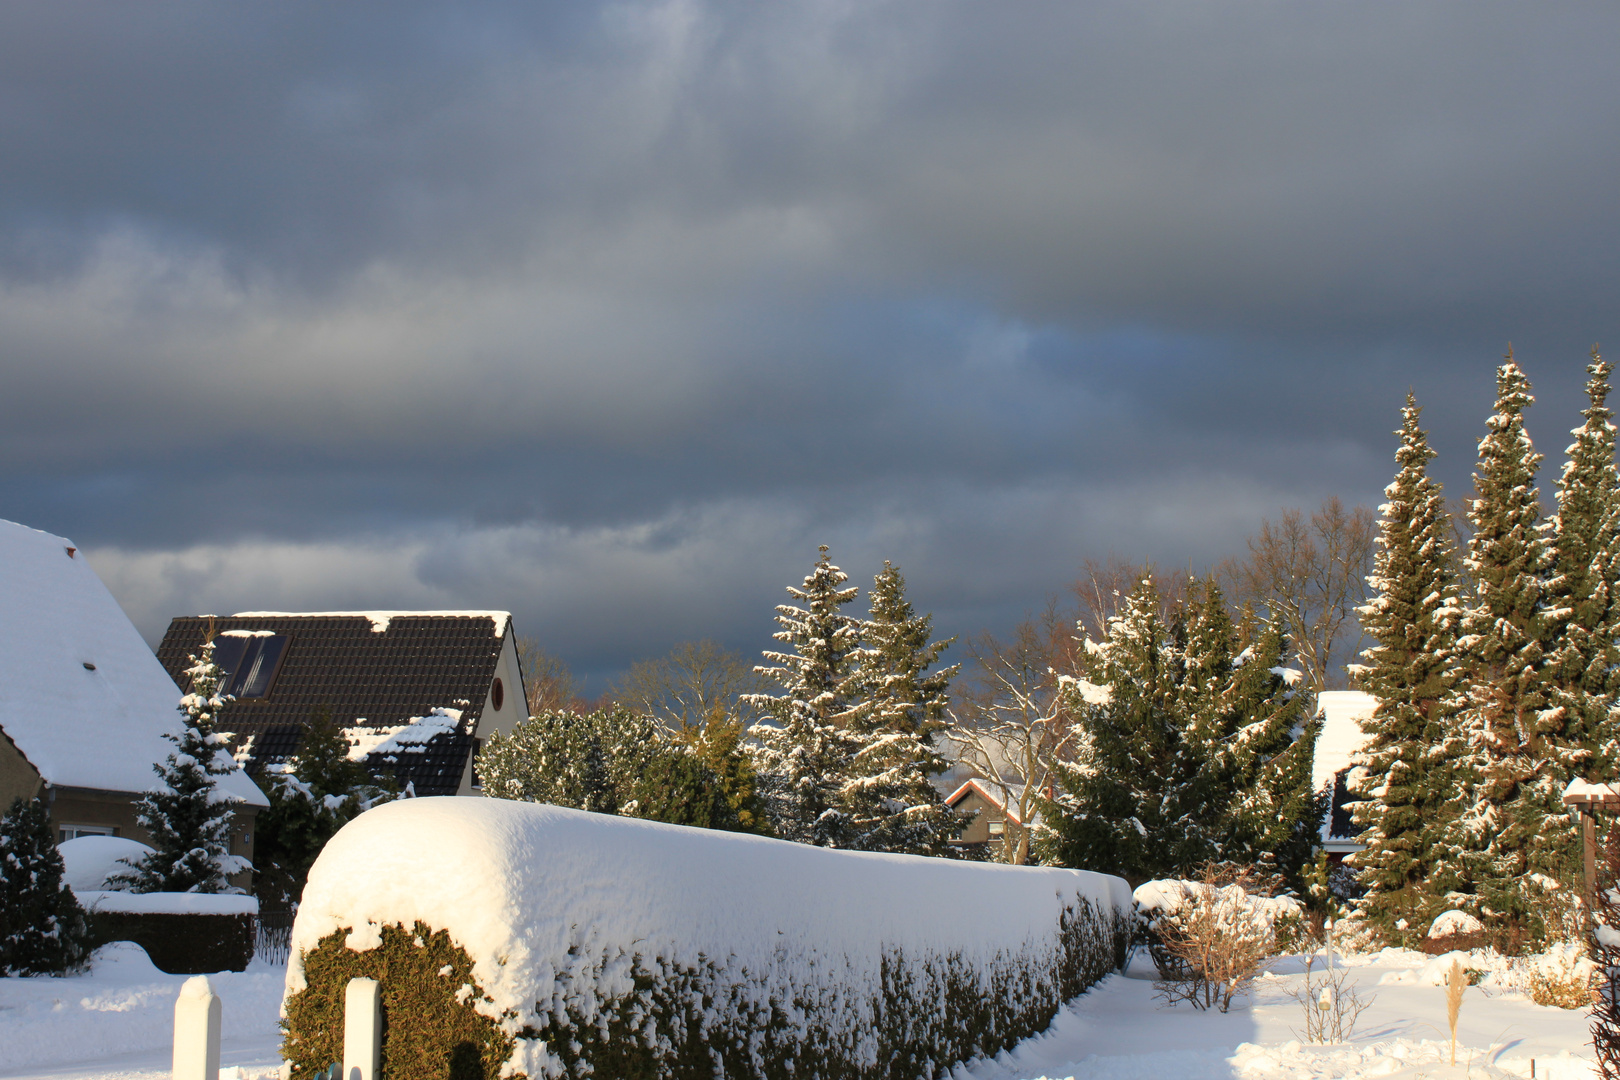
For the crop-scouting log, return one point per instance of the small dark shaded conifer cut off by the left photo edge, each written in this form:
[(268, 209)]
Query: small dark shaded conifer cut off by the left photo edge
[(43, 929)]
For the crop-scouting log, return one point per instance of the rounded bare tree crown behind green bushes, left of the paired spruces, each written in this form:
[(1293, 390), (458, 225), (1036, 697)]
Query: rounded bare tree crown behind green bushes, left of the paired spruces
[(694, 684)]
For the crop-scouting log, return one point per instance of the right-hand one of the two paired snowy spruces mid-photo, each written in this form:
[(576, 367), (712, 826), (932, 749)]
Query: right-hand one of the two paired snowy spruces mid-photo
[(893, 806)]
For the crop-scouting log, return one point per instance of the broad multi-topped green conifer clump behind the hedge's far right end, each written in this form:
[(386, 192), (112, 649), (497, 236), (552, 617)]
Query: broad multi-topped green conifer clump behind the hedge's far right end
[(1193, 752)]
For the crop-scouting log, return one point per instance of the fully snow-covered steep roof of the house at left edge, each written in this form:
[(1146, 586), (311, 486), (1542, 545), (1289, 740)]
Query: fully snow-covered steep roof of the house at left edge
[(80, 694)]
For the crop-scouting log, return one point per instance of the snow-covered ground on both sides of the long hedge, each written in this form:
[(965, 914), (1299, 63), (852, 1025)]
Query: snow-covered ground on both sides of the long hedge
[(114, 1024)]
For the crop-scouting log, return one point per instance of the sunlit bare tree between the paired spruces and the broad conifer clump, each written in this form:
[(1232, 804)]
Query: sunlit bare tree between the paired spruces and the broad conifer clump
[(1013, 726)]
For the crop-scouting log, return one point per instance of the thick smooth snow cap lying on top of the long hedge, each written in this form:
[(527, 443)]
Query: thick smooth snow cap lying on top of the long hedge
[(522, 885)]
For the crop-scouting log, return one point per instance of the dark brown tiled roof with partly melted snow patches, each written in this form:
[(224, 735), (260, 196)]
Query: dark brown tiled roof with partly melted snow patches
[(365, 678)]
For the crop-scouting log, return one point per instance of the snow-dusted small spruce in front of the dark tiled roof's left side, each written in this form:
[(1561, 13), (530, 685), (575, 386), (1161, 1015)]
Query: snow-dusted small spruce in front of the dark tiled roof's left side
[(187, 820)]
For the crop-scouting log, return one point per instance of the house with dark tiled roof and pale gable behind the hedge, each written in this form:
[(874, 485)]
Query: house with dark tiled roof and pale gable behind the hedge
[(416, 692)]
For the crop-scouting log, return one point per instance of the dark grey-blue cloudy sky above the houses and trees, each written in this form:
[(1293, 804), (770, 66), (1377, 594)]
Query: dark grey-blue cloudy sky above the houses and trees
[(608, 315)]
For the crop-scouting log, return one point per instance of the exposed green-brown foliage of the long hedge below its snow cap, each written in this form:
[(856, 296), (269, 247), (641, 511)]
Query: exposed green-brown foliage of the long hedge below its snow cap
[(931, 1014)]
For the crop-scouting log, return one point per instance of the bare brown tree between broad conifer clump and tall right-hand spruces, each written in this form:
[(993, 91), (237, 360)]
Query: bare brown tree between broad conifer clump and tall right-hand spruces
[(1311, 576)]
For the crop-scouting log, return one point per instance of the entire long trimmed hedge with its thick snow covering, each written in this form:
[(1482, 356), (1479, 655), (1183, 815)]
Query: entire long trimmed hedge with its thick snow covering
[(590, 945)]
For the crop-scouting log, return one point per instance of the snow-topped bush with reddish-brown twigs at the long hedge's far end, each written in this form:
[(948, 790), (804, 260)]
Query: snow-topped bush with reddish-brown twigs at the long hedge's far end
[(1209, 942)]
